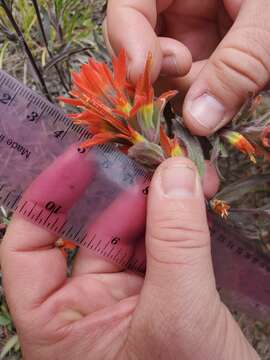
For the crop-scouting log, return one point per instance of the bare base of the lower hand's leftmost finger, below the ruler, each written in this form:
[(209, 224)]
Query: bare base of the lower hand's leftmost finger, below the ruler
[(32, 267)]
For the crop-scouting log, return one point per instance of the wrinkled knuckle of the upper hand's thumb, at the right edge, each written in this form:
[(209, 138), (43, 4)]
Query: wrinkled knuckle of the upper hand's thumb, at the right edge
[(243, 64)]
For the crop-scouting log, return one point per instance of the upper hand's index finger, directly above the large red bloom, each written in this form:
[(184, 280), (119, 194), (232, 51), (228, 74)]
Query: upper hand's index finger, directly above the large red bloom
[(130, 25)]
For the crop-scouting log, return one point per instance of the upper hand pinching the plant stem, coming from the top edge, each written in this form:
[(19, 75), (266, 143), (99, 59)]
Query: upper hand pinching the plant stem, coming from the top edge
[(228, 41)]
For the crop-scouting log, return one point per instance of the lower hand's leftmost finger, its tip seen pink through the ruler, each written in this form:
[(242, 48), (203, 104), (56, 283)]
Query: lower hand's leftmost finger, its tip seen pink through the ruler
[(33, 269)]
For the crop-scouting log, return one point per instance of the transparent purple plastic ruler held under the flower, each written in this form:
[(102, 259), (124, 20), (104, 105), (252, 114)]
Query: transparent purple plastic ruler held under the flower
[(97, 197)]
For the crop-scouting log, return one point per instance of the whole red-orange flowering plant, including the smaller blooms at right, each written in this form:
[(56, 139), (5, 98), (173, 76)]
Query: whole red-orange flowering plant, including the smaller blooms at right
[(132, 117)]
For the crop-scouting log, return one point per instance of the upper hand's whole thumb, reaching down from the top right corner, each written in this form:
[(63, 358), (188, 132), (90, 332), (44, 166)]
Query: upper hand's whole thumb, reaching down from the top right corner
[(239, 66)]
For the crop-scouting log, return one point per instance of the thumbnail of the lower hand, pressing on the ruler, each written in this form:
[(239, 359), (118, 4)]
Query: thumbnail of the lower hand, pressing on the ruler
[(178, 181)]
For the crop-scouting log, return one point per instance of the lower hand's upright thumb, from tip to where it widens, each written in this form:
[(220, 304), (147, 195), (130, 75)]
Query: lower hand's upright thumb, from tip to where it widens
[(177, 236)]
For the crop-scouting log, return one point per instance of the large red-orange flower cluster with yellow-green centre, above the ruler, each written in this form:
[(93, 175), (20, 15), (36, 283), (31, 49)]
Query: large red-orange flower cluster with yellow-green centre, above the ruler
[(115, 111)]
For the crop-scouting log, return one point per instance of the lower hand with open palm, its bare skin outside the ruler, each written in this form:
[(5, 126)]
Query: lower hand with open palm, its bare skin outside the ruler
[(101, 312)]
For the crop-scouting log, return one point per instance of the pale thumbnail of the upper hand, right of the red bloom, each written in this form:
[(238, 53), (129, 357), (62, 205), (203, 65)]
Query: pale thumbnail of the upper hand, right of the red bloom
[(207, 111)]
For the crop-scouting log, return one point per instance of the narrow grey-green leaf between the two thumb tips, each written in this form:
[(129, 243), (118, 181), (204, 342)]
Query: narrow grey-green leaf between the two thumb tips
[(193, 146)]
